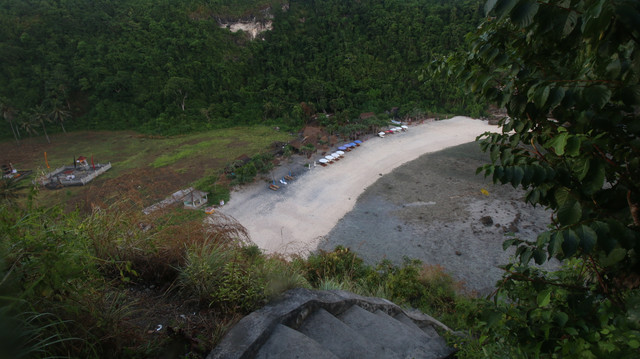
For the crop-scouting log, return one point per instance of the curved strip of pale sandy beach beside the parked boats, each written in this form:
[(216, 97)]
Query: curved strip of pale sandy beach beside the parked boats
[(294, 220)]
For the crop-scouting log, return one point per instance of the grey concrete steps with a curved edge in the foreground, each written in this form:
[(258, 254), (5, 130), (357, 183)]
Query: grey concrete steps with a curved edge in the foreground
[(333, 324)]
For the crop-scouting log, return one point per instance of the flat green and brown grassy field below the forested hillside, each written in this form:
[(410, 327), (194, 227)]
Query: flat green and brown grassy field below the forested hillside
[(168, 163)]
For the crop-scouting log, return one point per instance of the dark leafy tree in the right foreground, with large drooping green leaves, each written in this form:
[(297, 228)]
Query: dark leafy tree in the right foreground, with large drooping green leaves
[(567, 72)]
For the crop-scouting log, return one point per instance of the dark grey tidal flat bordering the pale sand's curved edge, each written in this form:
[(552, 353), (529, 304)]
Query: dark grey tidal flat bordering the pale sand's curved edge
[(433, 209)]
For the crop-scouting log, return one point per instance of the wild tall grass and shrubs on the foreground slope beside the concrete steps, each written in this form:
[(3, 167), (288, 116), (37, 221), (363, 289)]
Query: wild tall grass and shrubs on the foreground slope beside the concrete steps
[(86, 270)]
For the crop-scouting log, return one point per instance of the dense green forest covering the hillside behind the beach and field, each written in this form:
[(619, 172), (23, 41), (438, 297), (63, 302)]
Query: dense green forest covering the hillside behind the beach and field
[(168, 67)]
